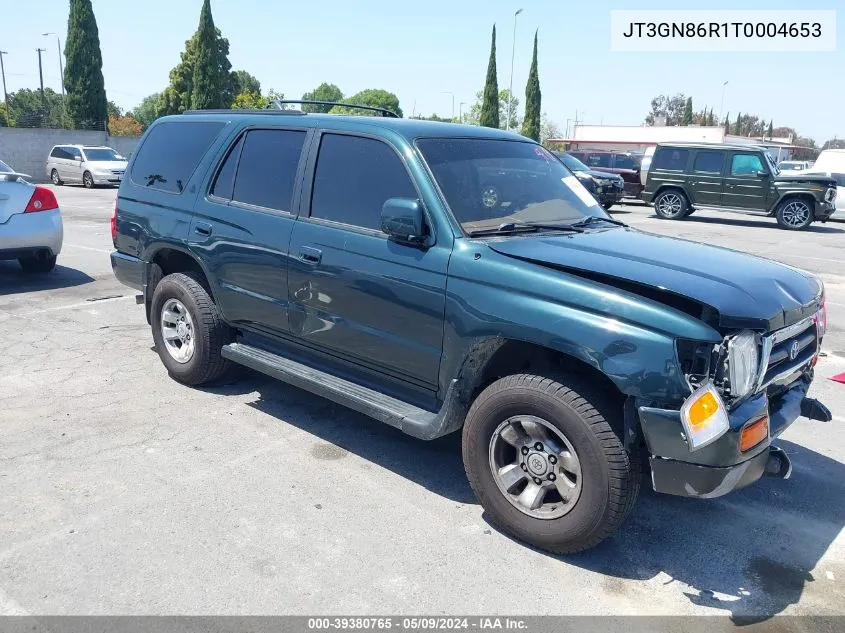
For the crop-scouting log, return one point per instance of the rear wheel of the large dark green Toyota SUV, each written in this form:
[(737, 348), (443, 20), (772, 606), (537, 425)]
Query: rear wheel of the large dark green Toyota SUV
[(202, 324)]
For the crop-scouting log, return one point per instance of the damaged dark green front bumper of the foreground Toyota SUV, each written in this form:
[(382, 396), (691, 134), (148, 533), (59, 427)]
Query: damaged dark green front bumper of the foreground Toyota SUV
[(721, 467)]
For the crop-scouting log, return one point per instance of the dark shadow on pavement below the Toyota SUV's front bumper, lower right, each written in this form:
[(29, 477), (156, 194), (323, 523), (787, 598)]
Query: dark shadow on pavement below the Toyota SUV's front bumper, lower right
[(756, 546)]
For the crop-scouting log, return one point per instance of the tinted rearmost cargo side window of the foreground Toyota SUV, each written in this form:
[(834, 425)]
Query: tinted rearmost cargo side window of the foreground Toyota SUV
[(171, 153)]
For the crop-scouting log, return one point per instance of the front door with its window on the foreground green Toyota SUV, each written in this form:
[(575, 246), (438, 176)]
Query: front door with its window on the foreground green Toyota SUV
[(356, 295)]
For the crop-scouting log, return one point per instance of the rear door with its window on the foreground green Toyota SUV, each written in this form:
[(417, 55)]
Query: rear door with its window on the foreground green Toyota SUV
[(241, 229)]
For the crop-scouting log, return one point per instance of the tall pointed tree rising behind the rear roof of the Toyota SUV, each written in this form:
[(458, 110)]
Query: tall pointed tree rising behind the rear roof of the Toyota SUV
[(204, 60)]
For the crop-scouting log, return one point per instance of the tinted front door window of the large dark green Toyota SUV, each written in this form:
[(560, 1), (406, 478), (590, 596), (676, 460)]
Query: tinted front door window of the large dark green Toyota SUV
[(354, 178)]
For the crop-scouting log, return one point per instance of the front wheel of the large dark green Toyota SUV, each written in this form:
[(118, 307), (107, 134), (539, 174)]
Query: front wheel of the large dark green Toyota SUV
[(608, 478)]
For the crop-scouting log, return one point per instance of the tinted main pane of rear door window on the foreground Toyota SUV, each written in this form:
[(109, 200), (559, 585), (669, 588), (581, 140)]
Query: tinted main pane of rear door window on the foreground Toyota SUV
[(267, 168)]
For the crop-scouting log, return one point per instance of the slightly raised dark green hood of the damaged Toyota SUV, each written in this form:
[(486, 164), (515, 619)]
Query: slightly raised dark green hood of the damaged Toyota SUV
[(731, 290)]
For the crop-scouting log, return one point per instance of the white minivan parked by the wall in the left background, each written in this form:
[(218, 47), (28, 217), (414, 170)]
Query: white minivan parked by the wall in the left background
[(85, 164)]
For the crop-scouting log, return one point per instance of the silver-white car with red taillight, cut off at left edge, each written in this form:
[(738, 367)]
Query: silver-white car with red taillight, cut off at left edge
[(31, 228)]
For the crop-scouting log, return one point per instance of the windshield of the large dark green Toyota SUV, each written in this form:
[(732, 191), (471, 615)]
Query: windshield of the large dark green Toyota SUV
[(491, 182)]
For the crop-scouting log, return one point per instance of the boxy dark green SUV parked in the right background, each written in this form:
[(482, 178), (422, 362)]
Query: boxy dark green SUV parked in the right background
[(684, 177)]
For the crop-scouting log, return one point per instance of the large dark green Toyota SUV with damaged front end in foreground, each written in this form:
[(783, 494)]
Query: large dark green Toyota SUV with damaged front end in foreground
[(364, 260)]
